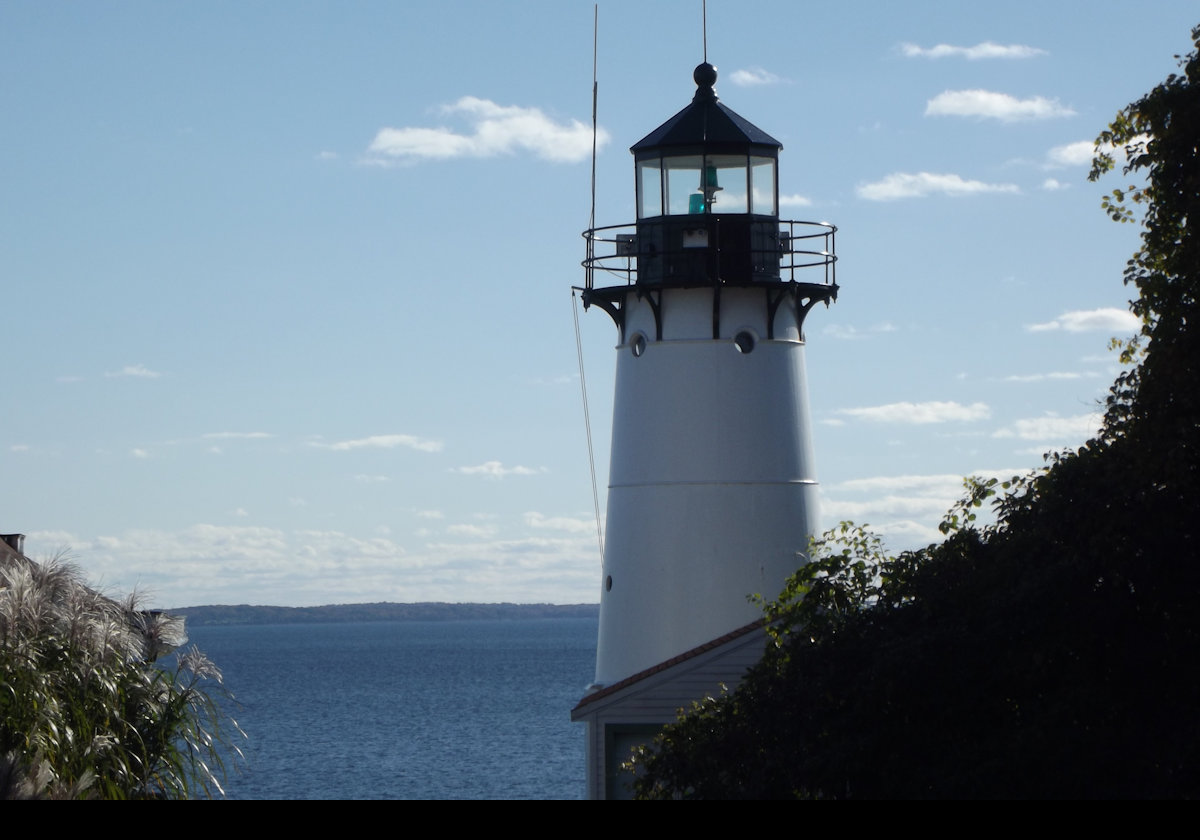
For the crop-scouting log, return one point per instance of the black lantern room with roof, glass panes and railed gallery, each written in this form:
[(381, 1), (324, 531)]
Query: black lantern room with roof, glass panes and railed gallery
[(707, 197)]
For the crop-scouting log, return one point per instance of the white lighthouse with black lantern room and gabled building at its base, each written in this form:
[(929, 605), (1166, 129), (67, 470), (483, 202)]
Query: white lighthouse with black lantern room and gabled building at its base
[(712, 494)]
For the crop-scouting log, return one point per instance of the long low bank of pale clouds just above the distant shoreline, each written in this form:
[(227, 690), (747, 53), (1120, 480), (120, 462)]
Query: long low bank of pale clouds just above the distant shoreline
[(245, 565)]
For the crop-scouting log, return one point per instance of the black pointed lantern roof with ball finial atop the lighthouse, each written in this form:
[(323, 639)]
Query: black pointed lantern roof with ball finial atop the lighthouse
[(707, 127)]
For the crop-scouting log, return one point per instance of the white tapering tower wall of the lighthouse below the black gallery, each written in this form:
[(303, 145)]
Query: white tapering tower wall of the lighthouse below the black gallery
[(712, 490)]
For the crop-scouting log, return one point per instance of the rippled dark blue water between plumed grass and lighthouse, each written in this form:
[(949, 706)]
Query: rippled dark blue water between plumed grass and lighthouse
[(407, 710)]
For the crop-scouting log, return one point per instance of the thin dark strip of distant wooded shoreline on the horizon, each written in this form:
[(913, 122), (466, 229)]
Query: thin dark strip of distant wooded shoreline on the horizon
[(334, 614)]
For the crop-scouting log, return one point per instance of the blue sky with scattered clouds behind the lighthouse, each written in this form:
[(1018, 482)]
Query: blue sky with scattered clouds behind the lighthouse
[(287, 286)]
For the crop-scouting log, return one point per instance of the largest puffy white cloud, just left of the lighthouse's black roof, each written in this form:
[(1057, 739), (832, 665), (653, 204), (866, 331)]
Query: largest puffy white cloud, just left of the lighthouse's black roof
[(494, 130)]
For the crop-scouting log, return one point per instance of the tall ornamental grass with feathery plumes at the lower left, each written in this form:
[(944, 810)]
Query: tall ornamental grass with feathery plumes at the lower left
[(85, 712)]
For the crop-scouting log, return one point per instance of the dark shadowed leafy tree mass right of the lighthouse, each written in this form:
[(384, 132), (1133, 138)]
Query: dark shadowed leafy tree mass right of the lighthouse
[(1051, 655)]
